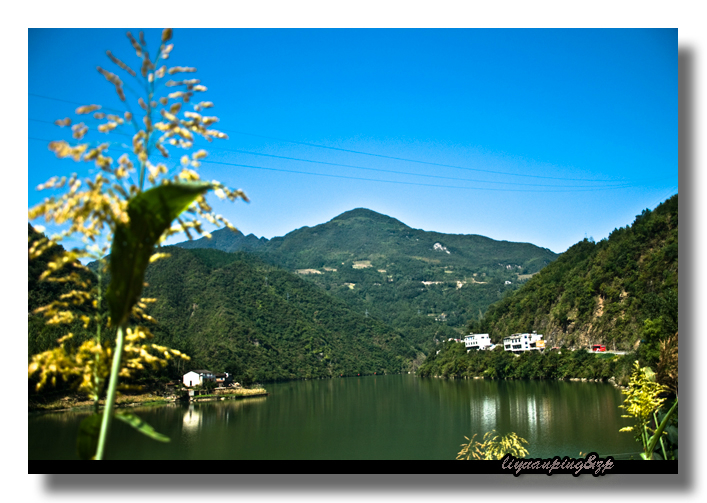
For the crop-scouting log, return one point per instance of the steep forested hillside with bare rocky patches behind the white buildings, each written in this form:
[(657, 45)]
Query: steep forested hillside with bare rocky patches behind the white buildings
[(617, 291)]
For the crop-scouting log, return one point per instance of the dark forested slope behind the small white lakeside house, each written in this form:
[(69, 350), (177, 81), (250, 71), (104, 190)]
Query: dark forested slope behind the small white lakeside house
[(234, 313)]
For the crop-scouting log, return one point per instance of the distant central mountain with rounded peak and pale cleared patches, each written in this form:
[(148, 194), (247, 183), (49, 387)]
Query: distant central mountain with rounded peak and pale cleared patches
[(426, 284)]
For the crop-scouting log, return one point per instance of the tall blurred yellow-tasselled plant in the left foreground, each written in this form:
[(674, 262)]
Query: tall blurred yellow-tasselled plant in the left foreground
[(126, 209)]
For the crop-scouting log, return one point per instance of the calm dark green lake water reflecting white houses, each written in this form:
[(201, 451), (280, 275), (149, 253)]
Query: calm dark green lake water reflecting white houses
[(376, 417)]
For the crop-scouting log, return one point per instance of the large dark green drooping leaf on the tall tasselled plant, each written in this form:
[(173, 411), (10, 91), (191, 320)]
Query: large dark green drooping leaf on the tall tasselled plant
[(151, 213)]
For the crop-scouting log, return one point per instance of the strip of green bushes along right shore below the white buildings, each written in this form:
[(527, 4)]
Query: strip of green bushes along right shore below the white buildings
[(453, 361)]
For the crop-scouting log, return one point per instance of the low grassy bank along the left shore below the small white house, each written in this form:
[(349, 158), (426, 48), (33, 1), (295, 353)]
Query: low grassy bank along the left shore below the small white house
[(74, 402)]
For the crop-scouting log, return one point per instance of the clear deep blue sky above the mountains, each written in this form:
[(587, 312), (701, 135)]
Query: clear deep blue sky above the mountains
[(530, 135)]
